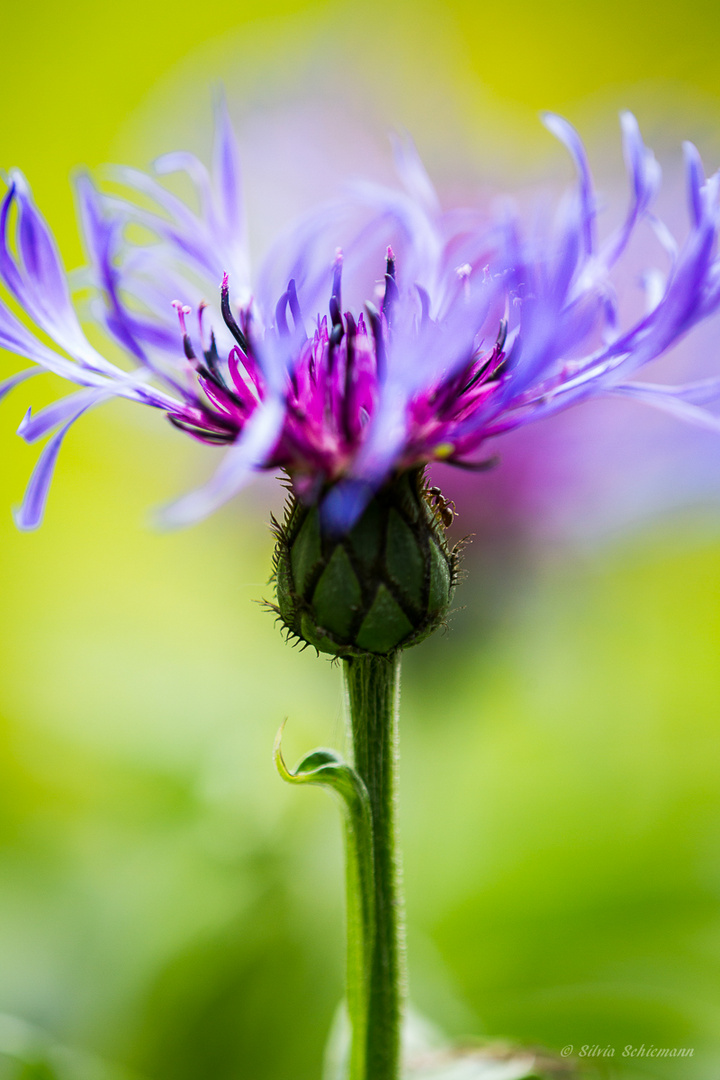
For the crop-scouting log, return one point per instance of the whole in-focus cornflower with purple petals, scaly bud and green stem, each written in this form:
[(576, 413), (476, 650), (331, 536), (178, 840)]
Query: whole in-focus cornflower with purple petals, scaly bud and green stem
[(471, 330)]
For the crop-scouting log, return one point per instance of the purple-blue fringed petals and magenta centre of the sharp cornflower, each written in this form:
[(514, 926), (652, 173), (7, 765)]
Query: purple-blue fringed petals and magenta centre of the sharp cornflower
[(476, 328)]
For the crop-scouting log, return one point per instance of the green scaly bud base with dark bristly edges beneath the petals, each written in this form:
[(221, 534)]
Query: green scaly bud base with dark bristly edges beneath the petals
[(384, 586)]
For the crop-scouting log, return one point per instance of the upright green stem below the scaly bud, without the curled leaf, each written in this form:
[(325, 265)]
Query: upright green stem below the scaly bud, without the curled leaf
[(373, 686)]
